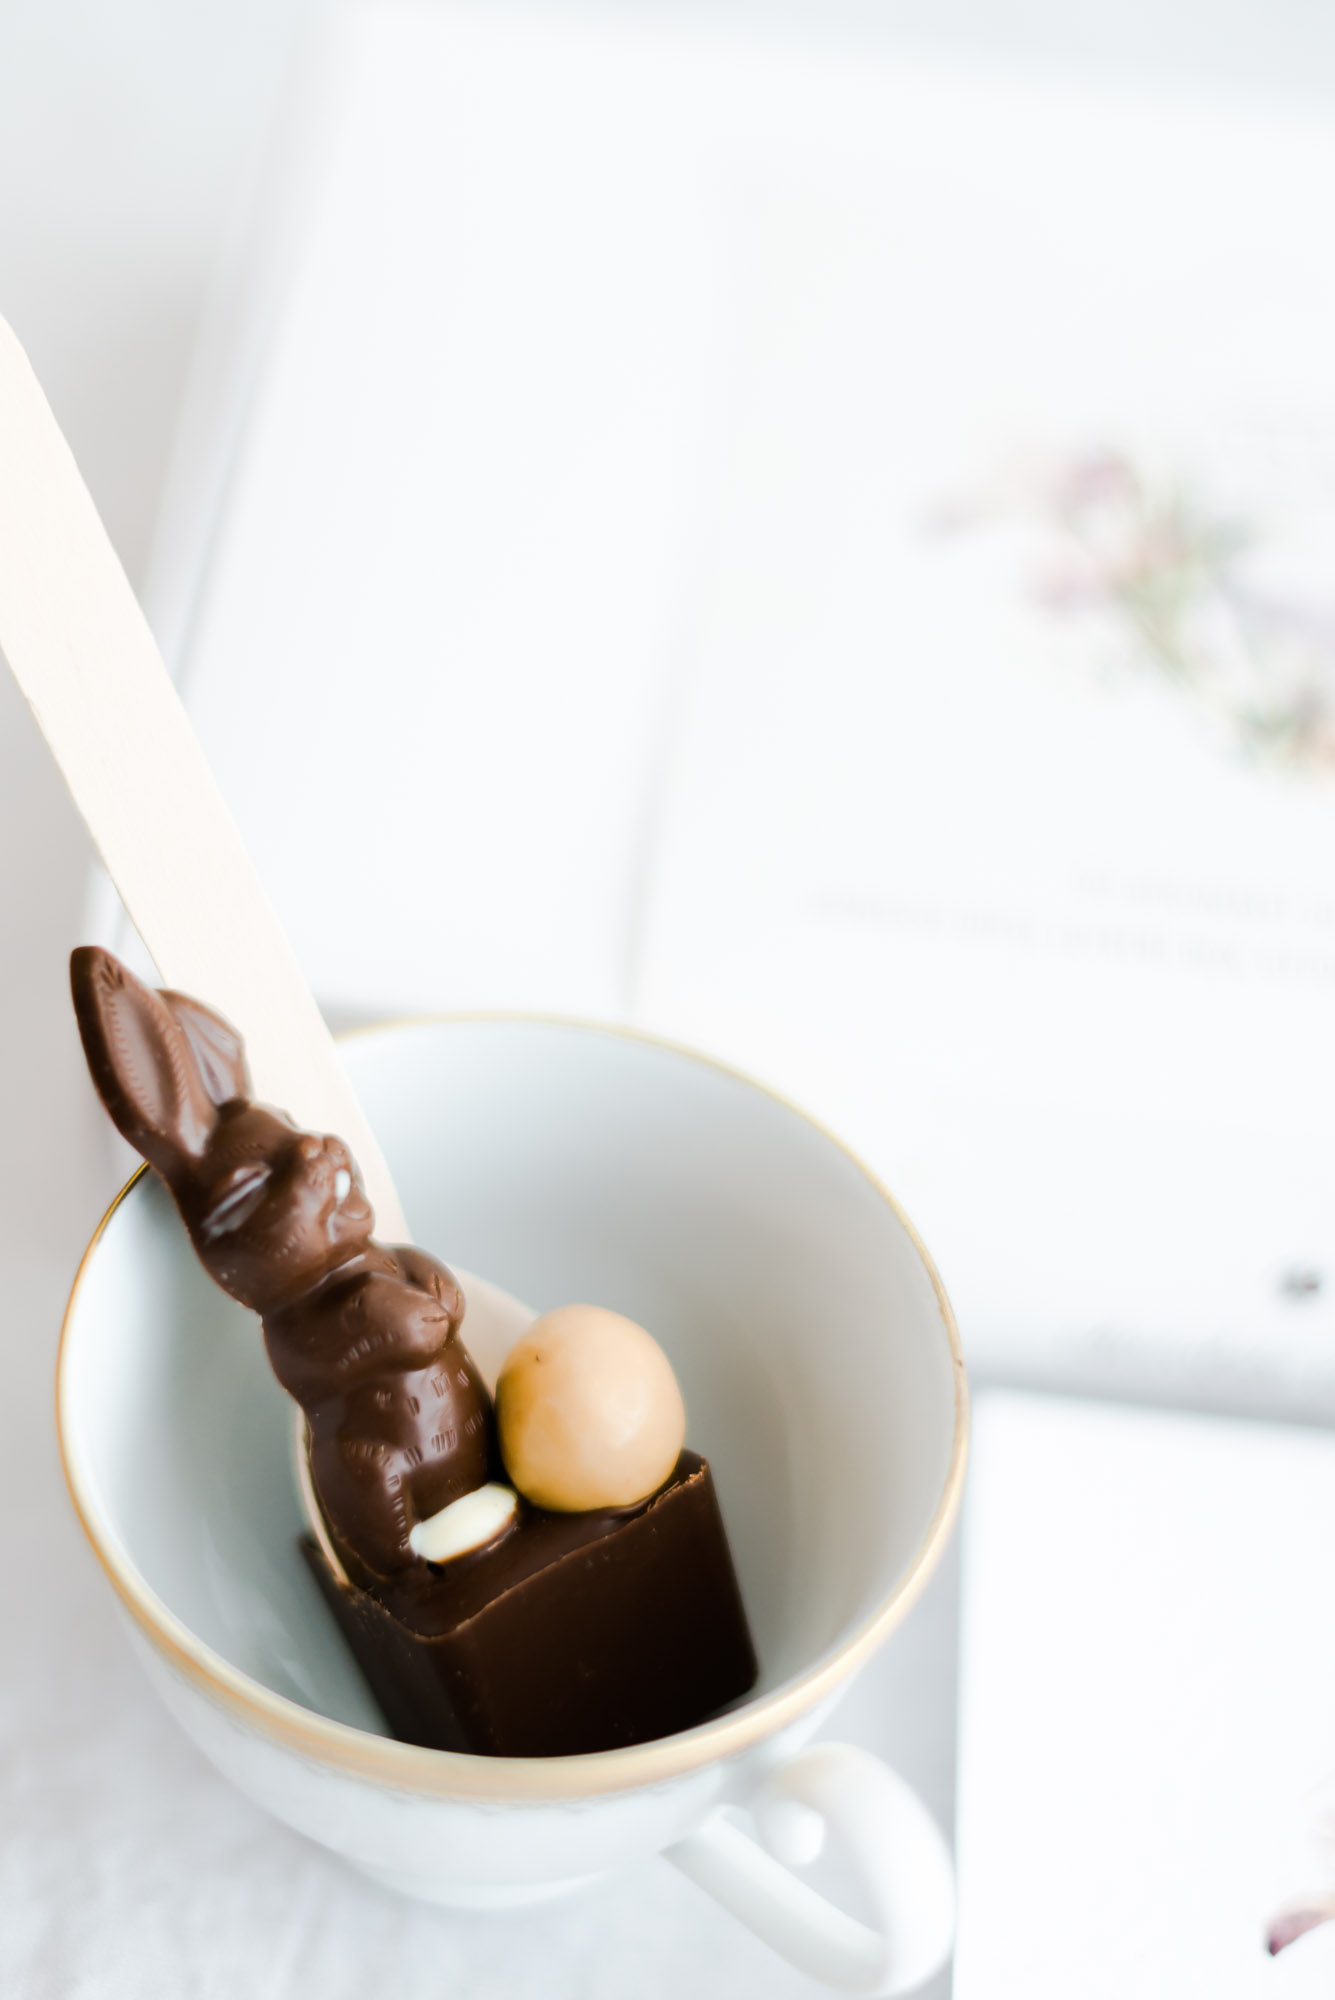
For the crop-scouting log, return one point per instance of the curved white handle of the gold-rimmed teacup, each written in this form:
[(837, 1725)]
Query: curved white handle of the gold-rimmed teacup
[(888, 1835)]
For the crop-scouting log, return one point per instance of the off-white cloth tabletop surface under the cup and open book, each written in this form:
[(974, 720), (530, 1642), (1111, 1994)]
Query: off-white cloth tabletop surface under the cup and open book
[(125, 1865)]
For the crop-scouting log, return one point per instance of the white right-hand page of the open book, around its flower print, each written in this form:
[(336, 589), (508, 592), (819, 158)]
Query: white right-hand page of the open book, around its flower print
[(1052, 957)]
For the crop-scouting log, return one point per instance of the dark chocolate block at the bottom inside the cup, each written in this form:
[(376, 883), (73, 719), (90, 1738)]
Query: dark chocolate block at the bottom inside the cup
[(573, 1633)]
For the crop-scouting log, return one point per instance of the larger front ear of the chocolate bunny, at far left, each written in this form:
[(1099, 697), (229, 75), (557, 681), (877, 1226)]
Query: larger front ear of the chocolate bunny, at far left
[(141, 1061)]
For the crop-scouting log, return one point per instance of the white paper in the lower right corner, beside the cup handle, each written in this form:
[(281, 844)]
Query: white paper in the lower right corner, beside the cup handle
[(1146, 1733)]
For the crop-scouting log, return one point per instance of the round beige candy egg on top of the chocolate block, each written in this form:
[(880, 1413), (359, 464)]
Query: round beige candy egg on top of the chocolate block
[(589, 1411)]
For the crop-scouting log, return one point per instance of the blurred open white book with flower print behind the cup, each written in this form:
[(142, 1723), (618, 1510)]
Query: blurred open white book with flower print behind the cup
[(832, 561)]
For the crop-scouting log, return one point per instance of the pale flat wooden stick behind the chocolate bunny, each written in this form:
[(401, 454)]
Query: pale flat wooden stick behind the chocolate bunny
[(83, 655)]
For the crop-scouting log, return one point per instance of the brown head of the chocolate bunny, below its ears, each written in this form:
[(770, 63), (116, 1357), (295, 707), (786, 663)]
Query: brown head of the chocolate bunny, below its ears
[(271, 1209)]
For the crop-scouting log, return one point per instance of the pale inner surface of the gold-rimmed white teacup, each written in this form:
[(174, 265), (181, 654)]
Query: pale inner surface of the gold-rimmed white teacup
[(810, 1335)]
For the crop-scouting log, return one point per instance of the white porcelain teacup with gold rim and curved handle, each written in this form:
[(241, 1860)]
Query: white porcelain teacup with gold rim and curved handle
[(822, 1379)]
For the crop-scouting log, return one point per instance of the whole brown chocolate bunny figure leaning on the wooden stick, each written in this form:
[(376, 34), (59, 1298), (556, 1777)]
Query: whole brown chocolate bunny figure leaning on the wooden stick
[(365, 1337)]
